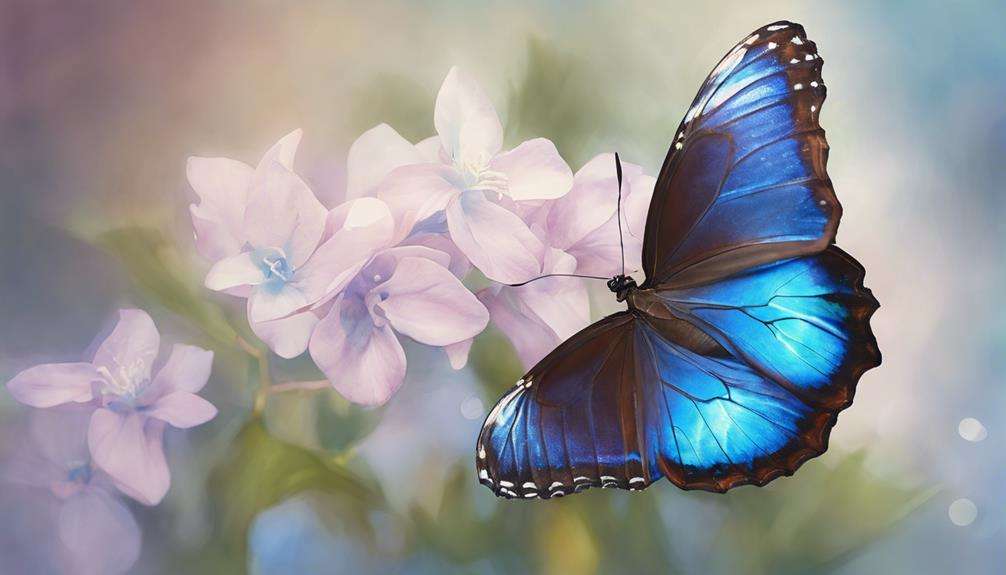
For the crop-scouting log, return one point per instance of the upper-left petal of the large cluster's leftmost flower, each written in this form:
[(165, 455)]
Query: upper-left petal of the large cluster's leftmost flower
[(223, 186)]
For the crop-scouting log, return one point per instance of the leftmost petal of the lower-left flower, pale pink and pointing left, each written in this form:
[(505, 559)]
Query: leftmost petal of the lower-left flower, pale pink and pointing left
[(54, 385)]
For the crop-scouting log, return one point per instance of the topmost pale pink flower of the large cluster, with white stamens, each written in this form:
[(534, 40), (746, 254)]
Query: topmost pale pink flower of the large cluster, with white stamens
[(465, 184)]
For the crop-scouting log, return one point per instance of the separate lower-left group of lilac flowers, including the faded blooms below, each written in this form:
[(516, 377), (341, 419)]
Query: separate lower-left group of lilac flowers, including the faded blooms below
[(100, 432)]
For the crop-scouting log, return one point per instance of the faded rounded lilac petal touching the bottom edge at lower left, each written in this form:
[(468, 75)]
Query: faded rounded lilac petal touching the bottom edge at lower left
[(99, 534)]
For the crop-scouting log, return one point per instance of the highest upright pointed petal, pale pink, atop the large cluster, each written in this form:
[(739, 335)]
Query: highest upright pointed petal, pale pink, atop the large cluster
[(470, 129)]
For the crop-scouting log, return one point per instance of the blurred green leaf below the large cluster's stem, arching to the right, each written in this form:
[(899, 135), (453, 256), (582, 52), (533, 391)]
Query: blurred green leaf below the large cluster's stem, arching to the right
[(262, 472)]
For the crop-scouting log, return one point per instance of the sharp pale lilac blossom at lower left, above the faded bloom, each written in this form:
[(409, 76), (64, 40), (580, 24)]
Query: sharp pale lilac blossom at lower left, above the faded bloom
[(132, 408)]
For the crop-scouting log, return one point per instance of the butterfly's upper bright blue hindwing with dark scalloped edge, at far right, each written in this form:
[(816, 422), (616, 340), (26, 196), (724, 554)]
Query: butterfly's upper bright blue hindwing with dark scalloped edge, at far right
[(802, 322)]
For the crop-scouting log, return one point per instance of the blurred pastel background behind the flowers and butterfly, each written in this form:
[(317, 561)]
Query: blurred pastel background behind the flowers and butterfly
[(102, 102)]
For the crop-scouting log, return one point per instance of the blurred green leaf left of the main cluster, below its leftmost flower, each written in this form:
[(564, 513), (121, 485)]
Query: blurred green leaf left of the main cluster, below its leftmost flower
[(160, 277)]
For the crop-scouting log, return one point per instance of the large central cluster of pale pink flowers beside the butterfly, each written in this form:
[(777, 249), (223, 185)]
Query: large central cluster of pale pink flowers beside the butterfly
[(346, 284)]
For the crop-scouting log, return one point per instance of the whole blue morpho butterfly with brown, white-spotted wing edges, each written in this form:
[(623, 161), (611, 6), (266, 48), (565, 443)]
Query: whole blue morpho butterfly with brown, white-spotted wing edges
[(747, 338)]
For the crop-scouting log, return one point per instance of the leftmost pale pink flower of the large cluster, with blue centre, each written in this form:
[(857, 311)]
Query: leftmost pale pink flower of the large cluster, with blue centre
[(288, 261)]
